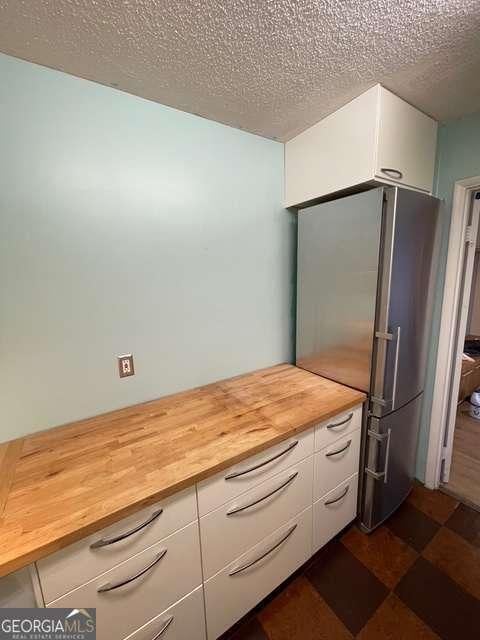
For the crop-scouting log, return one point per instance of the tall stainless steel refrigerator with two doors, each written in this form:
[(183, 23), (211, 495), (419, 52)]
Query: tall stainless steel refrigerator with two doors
[(365, 288)]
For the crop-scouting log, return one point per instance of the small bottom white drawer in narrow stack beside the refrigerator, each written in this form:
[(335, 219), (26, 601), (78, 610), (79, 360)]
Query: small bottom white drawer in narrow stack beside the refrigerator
[(334, 511)]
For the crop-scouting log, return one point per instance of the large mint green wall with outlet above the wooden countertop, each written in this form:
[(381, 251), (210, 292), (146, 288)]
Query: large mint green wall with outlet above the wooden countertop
[(126, 226)]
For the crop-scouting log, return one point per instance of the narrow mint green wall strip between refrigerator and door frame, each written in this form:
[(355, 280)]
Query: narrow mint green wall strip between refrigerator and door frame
[(458, 157)]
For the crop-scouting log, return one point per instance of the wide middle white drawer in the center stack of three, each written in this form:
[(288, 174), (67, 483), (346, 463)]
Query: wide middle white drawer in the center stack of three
[(235, 527)]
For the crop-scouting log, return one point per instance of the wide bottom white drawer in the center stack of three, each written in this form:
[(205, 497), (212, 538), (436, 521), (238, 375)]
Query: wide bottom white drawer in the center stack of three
[(234, 591)]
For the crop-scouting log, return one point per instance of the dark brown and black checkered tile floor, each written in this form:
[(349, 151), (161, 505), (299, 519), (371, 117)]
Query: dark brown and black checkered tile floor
[(416, 577)]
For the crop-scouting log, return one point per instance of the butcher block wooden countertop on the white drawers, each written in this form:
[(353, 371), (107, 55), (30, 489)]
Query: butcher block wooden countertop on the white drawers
[(59, 485)]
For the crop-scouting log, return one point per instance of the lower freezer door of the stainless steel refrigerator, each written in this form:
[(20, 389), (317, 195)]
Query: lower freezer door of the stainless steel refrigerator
[(390, 462)]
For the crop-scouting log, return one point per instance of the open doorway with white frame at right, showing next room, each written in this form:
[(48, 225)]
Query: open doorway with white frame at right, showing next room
[(453, 461)]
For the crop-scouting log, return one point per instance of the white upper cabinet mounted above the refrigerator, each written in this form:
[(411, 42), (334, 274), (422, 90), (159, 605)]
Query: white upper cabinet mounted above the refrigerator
[(376, 136)]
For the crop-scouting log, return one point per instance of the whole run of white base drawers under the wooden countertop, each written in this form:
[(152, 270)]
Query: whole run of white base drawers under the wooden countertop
[(191, 566)]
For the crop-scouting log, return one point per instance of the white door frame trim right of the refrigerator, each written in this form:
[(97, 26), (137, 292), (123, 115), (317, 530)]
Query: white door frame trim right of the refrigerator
[(448, 342)]
